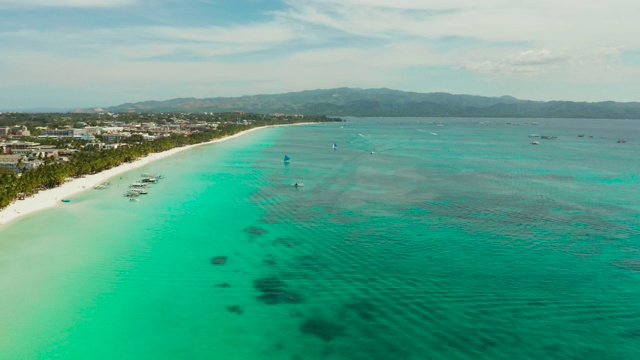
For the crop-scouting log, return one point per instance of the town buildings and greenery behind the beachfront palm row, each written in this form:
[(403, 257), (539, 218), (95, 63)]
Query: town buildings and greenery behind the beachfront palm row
[(25, 147)]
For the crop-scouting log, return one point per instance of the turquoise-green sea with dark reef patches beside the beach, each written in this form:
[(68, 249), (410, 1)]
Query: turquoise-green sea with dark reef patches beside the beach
[(416, 238)]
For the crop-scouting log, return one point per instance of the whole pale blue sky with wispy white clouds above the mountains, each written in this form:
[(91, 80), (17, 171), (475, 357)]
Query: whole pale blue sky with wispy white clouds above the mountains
[(98, 53)]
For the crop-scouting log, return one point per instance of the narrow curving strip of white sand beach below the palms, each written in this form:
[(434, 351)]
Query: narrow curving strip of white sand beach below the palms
[(51, 197)]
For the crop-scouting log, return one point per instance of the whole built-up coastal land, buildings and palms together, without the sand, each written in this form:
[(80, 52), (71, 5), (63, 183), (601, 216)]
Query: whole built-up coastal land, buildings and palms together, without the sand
[(43, 151)]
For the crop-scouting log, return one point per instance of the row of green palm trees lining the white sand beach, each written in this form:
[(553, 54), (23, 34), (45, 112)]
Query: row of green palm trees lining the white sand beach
[(91, 160)]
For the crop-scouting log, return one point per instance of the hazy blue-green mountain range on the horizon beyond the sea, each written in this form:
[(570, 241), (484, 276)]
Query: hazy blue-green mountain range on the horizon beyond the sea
[(387, 102)]
